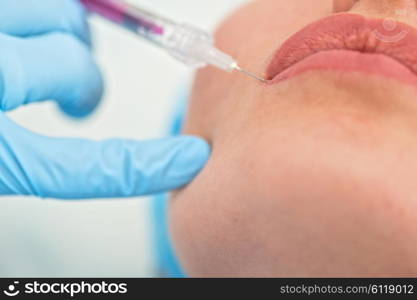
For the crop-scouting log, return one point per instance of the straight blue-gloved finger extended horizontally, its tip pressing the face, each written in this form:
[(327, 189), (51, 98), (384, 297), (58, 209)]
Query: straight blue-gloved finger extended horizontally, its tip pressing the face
[(79, 169)]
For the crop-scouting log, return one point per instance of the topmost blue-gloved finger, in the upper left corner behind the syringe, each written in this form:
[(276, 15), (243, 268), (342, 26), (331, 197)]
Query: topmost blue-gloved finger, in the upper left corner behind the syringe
[(24, 18)]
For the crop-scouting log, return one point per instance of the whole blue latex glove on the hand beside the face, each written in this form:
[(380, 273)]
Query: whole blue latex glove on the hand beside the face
[(45, 55)]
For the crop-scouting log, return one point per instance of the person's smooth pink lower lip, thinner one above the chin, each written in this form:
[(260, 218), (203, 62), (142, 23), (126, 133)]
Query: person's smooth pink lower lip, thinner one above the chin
[(350, 61)]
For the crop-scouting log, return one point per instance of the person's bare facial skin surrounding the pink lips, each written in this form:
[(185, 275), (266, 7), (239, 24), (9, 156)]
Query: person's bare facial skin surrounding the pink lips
[(315, 176)]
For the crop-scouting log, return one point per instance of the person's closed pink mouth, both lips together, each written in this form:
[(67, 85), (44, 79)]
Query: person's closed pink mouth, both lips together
[(349, 43)]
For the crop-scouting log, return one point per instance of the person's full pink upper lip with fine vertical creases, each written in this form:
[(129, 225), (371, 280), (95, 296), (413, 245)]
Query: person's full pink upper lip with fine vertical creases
[(348, 32)]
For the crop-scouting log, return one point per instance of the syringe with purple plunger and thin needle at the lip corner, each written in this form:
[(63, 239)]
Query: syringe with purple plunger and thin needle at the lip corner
[(186, 43)]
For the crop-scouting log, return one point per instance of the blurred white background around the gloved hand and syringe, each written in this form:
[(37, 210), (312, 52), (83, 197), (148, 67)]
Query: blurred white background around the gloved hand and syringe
[(110, 237)]
